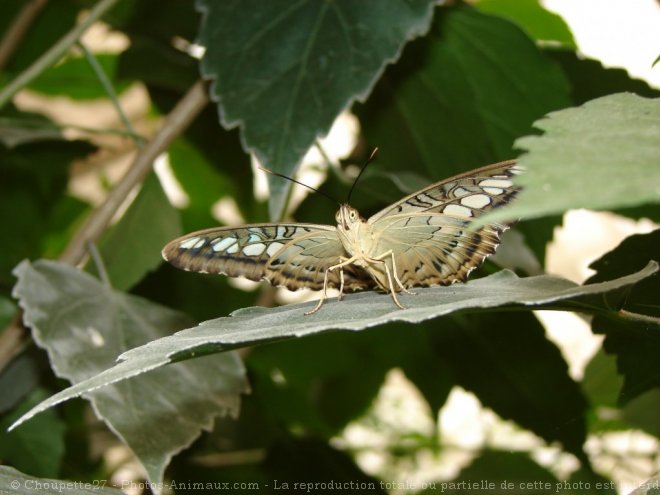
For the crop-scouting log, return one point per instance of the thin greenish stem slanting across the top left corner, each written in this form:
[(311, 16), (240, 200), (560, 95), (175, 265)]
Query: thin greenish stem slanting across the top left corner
[(55, 53)]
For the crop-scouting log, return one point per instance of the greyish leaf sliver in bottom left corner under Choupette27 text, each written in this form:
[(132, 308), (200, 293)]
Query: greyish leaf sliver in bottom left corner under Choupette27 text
[(13, 482)]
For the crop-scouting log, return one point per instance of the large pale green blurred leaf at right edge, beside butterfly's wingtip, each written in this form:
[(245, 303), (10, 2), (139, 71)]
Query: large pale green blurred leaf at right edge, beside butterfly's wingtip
[(602, 155)]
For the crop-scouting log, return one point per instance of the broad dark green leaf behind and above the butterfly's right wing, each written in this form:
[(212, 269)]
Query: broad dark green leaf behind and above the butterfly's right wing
[(460, 97)]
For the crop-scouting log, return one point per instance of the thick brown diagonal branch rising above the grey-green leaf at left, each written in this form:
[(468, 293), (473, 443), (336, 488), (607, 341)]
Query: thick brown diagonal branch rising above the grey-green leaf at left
[(177, 121)]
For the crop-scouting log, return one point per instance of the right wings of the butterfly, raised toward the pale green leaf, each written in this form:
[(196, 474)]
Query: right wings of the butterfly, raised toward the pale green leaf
[(429, 231)]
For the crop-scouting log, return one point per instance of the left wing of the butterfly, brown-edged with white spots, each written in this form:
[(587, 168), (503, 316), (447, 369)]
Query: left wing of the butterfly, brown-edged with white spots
[(289, 255)]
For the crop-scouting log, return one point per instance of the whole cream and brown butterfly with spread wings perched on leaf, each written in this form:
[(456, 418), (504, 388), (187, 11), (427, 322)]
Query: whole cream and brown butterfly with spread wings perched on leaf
[(421, 240)]
